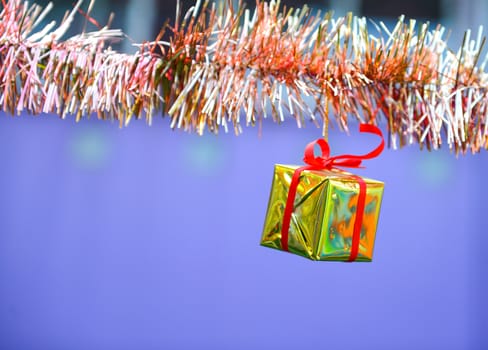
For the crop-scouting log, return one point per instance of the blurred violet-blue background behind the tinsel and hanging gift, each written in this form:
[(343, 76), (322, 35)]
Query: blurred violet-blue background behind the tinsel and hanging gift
[(147, 238)]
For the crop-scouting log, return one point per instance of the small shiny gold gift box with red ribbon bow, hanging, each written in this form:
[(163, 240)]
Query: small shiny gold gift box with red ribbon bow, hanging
[(322, 212)]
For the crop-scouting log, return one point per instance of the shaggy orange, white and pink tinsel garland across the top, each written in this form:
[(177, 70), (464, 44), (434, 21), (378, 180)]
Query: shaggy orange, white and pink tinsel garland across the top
[(224, 67)]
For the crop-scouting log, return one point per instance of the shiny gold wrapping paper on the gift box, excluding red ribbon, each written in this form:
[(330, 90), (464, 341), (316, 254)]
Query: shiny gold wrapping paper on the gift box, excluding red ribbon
[(323, 218)]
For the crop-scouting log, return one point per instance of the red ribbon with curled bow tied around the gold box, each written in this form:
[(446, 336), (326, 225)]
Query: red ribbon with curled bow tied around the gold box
[(325, 161)]
